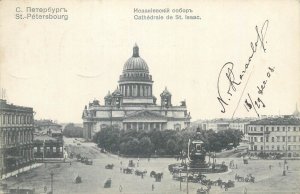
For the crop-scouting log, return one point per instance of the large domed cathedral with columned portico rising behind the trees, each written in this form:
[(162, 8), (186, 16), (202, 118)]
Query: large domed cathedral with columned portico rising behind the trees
[(133, 106)]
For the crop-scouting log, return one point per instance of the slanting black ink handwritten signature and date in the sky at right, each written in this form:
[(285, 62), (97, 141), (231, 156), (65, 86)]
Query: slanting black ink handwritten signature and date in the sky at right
[(232, 82)]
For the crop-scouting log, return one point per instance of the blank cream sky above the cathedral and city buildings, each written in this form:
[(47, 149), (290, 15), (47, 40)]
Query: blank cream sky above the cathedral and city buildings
[(59, 66)]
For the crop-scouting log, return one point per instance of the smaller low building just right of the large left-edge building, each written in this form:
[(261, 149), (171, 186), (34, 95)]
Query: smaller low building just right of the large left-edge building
[(48, 140)]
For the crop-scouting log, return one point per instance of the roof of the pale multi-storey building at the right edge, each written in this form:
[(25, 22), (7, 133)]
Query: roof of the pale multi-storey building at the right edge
[(277, 121)]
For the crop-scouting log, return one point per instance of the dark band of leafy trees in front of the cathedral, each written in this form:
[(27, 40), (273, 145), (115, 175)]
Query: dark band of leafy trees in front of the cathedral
[(167, 142)]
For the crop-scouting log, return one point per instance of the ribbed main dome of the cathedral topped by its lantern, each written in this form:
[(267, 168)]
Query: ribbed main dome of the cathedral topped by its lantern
[(135, 63)]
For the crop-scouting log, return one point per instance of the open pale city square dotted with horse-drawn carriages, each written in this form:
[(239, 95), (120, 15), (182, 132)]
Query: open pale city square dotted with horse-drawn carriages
[(267, 179)]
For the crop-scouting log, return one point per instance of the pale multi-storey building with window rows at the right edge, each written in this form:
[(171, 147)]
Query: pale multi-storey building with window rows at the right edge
[(275, 135)]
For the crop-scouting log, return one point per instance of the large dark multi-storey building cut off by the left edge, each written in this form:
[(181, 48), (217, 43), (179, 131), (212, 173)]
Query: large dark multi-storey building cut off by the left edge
[(16, 136)]
